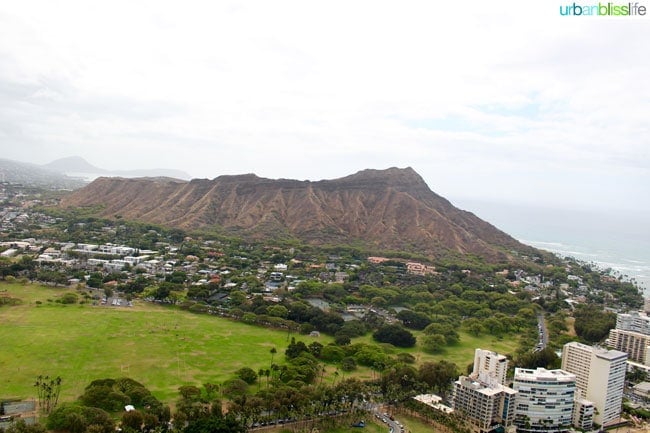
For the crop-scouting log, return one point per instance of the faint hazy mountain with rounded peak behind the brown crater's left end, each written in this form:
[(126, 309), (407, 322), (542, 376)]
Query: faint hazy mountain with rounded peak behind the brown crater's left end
[(77, 166)]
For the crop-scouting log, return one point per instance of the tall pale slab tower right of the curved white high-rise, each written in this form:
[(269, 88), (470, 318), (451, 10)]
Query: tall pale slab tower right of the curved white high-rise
[(600, 377)]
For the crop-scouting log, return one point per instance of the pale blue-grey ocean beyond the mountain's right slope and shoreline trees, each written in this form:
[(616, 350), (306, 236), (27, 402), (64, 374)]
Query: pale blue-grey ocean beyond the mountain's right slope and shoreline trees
[(614, 239)]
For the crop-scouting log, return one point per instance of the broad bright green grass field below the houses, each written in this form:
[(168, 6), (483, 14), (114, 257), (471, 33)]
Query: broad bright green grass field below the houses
[(161, 347)]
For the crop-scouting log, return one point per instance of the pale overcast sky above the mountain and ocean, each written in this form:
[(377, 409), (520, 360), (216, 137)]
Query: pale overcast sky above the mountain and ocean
[(501, 100)]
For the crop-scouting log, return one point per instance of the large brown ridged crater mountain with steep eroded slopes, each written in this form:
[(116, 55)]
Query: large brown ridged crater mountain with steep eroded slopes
[(389, 209)]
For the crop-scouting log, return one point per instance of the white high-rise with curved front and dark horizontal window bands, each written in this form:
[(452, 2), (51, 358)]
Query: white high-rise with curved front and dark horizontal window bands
[(544, 400)]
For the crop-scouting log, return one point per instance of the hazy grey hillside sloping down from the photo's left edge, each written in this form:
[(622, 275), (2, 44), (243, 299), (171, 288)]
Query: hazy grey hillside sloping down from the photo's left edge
[(35, 175)]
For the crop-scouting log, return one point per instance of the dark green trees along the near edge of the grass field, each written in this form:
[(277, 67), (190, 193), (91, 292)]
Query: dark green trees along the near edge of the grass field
[(292, 392)]
